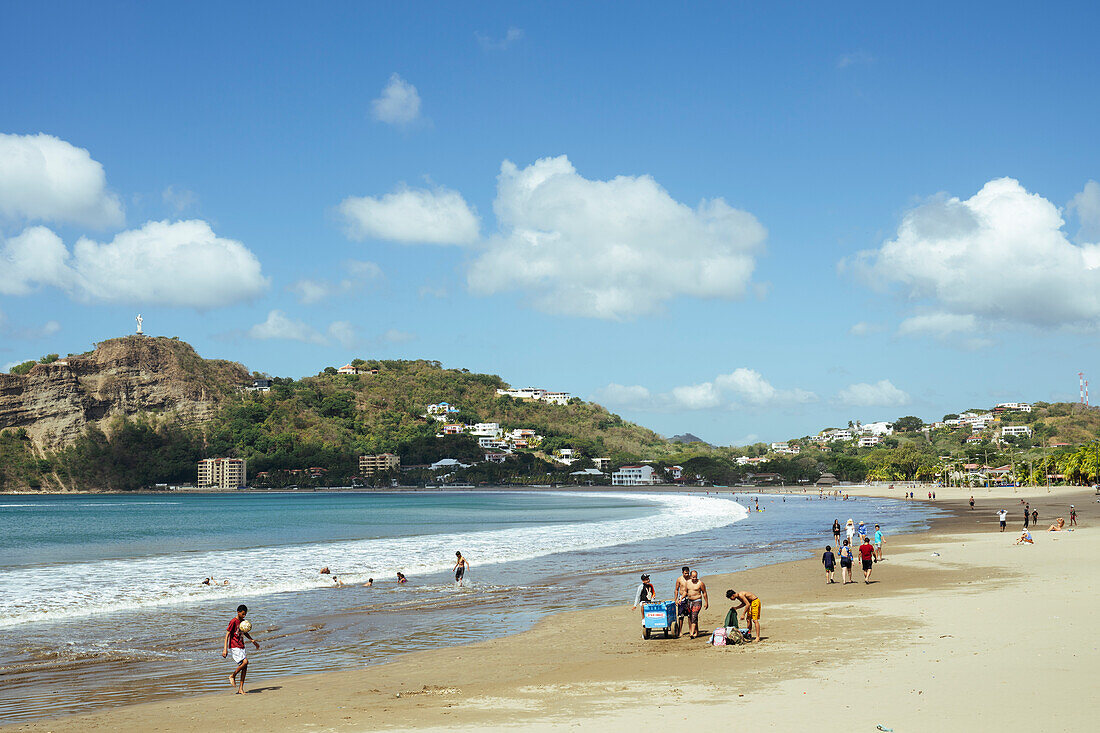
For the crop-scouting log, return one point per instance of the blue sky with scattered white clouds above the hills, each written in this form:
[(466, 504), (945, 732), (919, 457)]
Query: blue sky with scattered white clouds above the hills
[(745, 223)]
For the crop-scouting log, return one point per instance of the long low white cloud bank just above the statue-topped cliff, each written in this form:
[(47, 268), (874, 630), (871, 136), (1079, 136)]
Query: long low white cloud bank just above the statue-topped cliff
[(182, 264)]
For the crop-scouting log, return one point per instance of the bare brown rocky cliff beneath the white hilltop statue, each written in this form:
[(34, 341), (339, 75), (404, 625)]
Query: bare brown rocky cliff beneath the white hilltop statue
[(123, 377)]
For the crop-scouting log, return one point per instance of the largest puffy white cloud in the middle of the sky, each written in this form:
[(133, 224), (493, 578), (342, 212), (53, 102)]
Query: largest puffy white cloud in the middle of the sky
[(610, 249)]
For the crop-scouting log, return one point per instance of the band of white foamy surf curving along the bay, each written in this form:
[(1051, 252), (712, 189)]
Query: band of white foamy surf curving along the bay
[(84, 589)]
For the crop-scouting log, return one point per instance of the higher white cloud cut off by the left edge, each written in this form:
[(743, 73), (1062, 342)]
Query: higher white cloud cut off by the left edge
[(46, 179)]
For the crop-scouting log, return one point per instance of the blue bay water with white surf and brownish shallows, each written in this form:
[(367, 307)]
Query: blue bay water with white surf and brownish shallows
[(102, 601)]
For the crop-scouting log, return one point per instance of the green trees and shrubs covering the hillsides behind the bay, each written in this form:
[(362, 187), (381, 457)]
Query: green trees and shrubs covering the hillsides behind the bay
[(311, 432)]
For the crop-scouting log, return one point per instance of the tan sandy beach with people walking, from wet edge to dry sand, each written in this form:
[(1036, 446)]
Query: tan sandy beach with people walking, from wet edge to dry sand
[(961, 630)]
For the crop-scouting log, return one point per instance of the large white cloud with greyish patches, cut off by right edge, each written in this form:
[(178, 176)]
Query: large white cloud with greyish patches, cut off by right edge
[(999, 257)]
